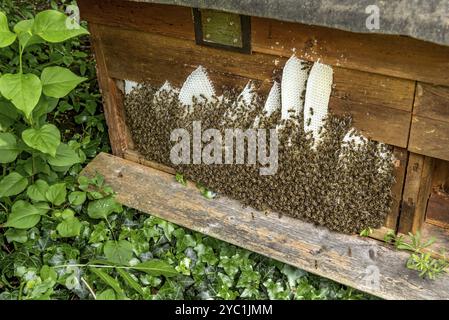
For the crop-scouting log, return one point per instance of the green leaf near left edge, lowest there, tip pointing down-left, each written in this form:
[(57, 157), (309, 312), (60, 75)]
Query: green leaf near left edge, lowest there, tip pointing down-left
[(23, 215)]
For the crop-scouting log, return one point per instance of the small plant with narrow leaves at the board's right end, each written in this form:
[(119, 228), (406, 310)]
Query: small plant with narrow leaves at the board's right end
[(421, 261)]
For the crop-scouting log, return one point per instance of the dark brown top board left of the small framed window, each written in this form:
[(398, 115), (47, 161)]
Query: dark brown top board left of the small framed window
[(175, 21)]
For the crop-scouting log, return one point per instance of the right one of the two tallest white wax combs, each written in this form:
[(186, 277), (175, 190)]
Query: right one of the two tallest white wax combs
[(318, 91)]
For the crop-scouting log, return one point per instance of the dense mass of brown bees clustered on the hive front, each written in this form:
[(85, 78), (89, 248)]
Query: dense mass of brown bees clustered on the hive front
[(343, 181)]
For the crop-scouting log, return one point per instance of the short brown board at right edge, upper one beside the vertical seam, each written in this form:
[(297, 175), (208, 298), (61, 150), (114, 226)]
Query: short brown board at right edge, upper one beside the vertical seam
[(432, 102)]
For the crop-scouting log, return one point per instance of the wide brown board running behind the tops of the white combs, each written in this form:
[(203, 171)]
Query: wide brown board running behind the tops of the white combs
[(371, 99)]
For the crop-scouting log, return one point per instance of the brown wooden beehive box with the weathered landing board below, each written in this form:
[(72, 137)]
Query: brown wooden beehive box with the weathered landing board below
[(396, 87)]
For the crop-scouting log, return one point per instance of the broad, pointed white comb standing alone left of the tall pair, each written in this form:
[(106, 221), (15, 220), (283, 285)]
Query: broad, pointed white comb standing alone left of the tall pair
[(196, 85)]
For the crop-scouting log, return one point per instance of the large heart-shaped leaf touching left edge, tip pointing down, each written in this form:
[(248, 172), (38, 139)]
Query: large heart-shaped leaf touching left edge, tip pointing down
[(24, 91)]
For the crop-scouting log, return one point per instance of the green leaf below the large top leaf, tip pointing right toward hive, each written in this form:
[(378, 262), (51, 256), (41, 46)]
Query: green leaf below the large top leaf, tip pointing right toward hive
[(57, 82)]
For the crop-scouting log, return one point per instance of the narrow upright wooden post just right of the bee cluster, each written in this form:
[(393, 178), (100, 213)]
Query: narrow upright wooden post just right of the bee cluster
[(418, 181)]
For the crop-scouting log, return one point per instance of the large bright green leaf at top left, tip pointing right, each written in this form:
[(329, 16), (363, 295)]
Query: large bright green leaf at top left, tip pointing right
[(54, 26)]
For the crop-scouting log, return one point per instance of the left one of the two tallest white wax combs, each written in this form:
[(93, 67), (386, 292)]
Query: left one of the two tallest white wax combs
[(294, 77)]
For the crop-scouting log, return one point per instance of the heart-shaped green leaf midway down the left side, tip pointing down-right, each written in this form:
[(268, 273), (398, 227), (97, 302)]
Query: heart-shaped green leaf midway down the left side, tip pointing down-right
[(45, 139)]
